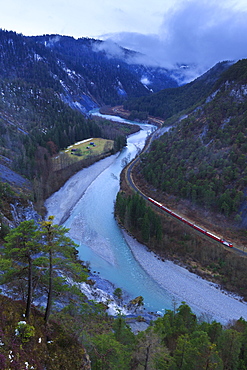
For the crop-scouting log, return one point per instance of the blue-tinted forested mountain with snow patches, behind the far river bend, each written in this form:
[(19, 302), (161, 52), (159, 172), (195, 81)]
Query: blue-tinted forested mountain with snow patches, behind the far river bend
[(81, 71)]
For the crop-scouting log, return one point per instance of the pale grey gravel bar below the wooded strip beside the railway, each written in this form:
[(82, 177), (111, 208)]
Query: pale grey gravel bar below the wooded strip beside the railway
[(201, 295)]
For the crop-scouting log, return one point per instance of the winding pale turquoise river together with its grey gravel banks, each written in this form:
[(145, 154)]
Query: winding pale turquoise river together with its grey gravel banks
[(86, 202)]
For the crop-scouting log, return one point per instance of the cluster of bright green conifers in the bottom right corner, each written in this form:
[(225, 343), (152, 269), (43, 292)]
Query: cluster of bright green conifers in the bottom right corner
[(179, 340)]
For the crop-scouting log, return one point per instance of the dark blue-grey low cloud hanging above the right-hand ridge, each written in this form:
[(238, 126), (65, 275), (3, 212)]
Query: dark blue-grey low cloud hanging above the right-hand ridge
[(198, 34)]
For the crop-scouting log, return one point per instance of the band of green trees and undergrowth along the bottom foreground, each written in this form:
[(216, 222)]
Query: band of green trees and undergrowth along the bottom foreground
[(177, 341)]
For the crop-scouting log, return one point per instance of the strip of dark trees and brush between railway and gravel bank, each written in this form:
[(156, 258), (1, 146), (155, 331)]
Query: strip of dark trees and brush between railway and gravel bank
[(176, 241)]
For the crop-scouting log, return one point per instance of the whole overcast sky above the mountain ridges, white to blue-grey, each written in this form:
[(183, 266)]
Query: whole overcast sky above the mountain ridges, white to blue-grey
[(168, 31)]
